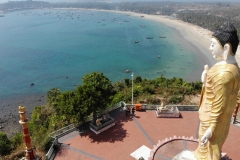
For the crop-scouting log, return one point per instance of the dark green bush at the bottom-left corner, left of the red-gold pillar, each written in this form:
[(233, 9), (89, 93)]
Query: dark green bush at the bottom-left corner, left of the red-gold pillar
[(5, 144)]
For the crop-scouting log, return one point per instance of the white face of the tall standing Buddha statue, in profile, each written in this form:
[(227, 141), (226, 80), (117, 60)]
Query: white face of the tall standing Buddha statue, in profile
[(217, 50)]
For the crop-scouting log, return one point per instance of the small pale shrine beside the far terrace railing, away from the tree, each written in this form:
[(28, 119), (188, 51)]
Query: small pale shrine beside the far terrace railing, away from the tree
[(164, 111)]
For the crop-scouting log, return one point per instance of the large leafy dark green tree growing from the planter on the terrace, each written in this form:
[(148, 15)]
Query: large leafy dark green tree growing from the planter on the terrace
[(96, 93)]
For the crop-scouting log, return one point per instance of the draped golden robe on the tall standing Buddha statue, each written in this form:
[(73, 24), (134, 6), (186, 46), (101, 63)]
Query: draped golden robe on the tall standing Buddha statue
[(217, 102)]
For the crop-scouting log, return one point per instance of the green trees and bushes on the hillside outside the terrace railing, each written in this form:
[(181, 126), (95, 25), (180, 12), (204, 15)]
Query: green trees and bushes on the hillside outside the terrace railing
[(91, 98)]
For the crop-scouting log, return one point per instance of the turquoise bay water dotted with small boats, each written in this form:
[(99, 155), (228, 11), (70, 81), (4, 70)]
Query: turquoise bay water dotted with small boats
[(56, 48)]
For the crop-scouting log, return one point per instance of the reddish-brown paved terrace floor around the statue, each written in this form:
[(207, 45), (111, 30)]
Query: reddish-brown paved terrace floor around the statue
[(118, 142)]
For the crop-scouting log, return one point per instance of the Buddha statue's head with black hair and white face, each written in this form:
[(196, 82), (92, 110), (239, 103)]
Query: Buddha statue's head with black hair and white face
[(224, 42)]
